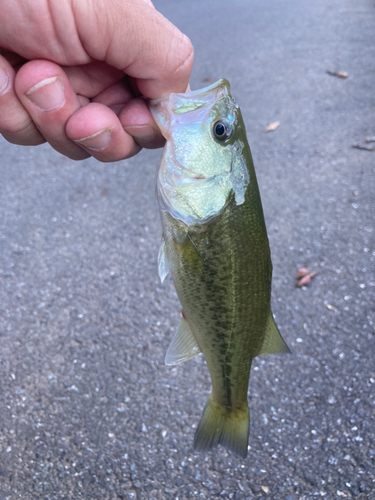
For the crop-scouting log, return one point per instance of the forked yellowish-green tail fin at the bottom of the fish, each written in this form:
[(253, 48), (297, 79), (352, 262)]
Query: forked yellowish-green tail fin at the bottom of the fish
[(220, 426)]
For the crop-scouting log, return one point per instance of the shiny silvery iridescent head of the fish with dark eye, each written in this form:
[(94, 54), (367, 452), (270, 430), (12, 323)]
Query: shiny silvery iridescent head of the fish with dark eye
[(202, 165)]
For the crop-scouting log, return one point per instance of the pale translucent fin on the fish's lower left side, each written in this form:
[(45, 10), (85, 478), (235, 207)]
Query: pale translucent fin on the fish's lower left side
[(183, 345)]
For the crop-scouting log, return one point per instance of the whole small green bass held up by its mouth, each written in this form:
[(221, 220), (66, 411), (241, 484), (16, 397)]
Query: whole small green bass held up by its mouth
[(215, 246)]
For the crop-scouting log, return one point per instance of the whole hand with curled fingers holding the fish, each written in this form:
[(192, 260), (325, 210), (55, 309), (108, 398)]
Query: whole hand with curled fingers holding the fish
[(74, 73)]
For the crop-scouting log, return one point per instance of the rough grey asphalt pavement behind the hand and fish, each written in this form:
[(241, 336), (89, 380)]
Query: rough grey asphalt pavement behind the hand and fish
[(87, 407)]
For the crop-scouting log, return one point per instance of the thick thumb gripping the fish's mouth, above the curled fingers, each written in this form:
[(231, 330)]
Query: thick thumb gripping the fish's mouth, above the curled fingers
[(134, 37)]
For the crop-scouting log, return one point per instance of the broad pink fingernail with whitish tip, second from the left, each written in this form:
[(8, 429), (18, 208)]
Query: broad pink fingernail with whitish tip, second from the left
[(48, 94)]
